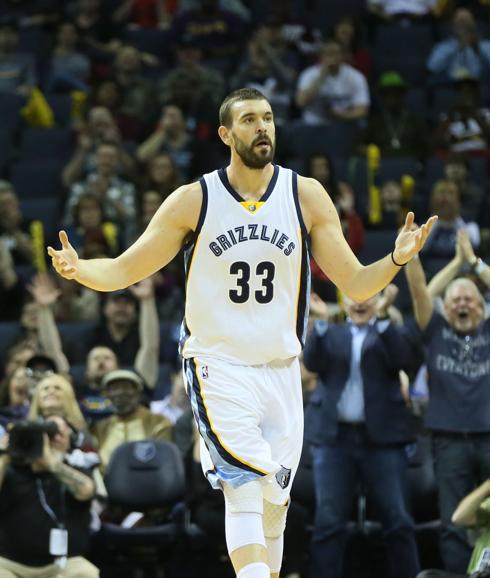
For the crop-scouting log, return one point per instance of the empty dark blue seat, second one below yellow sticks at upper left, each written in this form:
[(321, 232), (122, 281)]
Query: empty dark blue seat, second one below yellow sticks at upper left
[(35, 180)]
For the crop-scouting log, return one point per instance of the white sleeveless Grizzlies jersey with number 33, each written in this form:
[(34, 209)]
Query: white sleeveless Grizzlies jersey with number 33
[(248, 274)]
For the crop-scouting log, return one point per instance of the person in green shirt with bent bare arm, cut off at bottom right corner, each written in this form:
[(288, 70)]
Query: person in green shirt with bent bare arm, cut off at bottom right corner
[(472, 512)]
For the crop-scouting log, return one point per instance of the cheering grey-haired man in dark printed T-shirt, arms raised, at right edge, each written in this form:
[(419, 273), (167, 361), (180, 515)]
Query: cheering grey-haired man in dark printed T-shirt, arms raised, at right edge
[(458, 414)]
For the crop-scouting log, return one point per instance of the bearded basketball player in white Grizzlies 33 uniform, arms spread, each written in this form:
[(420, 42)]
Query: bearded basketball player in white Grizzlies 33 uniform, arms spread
[(246, 232)]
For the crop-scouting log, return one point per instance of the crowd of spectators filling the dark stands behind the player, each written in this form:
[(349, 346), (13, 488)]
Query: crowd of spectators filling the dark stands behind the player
[(106, 107)]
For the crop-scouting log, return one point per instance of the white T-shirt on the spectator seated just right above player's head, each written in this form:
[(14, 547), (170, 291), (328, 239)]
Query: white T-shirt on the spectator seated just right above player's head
[(345, 90)]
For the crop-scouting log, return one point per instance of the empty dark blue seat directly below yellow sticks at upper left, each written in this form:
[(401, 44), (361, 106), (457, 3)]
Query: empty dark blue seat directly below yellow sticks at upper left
[(45, 143)]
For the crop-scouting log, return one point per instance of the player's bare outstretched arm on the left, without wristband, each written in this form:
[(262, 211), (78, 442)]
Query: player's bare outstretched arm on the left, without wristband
[(176, 218)]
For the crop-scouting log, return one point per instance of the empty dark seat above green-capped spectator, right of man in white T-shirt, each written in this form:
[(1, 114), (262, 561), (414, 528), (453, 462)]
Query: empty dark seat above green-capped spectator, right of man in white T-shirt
[(394, 50)]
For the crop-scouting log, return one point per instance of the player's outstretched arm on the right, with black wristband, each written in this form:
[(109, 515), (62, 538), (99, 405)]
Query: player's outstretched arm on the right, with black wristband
[(335, 257)]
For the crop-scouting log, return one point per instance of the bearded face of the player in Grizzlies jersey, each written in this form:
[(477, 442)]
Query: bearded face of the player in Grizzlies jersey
[(253, 134)]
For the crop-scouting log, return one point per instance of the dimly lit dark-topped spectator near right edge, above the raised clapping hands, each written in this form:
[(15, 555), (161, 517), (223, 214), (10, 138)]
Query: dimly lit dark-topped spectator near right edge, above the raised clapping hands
[(471, 193)]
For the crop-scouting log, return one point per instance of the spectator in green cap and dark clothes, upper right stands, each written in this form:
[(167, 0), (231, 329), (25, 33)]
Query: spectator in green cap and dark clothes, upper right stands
[(396, 130)]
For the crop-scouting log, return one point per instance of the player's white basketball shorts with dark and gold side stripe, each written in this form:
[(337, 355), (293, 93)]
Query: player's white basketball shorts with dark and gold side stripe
[(250, 418)]
